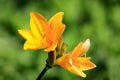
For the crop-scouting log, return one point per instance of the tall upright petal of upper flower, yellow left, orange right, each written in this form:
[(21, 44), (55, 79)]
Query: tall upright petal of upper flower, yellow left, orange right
[(37, 23)]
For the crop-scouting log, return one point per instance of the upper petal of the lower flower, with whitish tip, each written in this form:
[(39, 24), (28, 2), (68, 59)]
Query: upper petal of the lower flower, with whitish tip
[(81, 49)]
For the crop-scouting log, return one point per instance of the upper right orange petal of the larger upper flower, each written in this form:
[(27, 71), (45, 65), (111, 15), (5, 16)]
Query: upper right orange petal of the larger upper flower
[(57, 18)]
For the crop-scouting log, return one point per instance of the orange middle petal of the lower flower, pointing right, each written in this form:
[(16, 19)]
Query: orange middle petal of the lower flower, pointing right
[(83, 63)]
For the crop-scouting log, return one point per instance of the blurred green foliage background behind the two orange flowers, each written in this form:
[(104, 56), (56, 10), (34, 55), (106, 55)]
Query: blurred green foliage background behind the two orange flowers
[(98, 20)]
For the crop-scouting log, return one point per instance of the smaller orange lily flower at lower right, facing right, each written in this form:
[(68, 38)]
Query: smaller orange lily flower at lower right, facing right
[(74, 62)]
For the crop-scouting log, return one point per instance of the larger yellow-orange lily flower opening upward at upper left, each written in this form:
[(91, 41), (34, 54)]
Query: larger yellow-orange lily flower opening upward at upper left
[(43, 34)]
